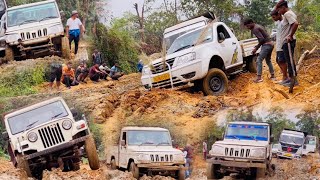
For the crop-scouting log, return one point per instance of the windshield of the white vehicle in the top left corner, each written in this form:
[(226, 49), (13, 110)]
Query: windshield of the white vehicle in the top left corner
[(31, 14)]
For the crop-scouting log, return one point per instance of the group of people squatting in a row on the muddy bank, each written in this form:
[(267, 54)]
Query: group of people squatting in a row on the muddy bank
[(72, 77)]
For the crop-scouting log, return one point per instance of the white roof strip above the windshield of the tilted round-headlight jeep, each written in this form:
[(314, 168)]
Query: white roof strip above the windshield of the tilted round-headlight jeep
[(30, 107)]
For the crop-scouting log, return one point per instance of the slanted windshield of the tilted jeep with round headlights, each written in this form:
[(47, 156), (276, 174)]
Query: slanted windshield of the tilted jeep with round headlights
[(34, 117)]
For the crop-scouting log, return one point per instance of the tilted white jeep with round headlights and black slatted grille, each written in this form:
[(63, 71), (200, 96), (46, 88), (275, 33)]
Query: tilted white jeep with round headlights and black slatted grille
[(46, 135)]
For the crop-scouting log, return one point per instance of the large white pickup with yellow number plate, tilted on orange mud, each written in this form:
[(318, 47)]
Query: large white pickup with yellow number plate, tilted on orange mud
[(205, 56)]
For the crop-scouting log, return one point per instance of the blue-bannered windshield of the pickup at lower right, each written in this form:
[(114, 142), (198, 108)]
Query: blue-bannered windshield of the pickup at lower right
[(247, 132)]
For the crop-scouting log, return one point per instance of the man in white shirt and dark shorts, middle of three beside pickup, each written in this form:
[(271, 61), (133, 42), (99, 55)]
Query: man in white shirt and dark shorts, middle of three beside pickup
[(280, 55)]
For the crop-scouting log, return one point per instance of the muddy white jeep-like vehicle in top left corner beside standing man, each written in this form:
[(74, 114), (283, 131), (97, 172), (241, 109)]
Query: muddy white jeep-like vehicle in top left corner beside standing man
[(33, 30)]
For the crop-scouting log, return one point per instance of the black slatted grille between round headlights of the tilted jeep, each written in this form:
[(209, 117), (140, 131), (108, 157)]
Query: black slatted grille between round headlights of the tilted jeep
[(51, 135)]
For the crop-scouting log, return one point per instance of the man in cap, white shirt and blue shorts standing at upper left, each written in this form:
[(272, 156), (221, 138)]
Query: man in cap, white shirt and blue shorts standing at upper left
[(74, 27)]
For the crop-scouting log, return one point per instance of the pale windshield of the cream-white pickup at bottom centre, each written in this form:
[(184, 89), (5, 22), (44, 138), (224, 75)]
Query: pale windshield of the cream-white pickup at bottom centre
[(152, 138)]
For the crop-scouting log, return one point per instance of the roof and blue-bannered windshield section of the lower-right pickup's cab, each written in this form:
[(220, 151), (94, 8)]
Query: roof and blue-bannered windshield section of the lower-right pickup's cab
[(248, 131)]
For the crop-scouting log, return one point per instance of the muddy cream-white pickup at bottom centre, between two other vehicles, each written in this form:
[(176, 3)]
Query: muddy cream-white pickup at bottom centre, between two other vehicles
[(146, 150)]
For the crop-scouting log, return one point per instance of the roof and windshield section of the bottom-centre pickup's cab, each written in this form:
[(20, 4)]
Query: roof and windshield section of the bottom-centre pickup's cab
[(131, 136)]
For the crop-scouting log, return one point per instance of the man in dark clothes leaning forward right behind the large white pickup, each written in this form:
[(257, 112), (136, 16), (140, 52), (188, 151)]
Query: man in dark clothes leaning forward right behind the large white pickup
[(266, 48)]
